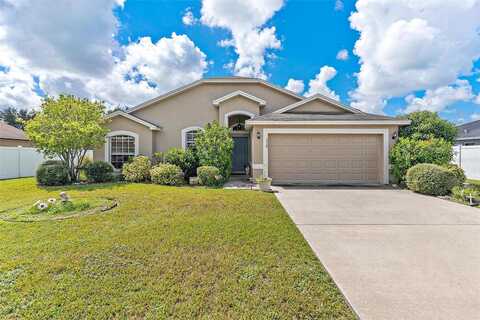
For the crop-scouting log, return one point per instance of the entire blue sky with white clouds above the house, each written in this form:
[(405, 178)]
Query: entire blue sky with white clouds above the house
[(381, 56)]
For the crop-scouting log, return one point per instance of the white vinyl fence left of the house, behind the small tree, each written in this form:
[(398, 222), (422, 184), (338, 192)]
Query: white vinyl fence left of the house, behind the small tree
[(17, 162)]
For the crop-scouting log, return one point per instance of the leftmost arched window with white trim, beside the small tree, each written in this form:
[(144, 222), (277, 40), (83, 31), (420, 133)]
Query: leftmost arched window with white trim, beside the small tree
[(121, 147)]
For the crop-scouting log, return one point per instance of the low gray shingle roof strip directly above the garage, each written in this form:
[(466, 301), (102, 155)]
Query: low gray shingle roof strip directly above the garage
[(320, 117)]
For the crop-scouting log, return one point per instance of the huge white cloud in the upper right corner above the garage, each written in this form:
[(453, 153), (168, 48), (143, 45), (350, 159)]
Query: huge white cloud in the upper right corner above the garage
[(407, 46)]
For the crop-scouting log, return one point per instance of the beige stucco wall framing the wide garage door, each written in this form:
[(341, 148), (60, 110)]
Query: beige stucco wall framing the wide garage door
[(257, 144)]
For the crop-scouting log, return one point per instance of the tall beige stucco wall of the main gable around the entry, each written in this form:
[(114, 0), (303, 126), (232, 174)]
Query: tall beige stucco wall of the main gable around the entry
[(194, 107)]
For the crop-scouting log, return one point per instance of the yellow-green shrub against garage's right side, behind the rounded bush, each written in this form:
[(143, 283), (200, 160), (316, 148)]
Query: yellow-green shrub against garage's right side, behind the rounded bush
[(408, 152)]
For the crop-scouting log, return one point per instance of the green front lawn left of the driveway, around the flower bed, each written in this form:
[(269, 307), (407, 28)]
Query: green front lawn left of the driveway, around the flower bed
[(164, 252)]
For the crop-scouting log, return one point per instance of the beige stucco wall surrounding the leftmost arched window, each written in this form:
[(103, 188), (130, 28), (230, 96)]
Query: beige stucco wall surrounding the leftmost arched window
[(145, 136)]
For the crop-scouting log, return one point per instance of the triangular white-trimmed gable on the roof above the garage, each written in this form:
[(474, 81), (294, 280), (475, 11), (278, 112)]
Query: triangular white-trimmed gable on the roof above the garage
[(328, 106)]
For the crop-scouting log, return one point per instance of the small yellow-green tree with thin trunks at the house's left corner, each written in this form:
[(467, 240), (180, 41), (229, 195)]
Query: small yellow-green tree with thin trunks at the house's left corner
[(66, 127)]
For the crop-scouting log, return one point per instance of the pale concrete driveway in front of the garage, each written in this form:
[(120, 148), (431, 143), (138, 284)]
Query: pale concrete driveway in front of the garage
[(393, 253)]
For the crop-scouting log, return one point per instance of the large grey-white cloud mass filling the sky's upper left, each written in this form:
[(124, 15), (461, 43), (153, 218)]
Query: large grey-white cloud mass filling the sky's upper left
[(74, 51)]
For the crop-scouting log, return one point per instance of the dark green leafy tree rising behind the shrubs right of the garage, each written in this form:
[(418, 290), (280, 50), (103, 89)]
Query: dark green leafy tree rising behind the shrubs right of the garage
[(426, 125)]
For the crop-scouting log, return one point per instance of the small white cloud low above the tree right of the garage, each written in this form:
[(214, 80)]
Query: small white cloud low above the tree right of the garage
[(437, 100)]
